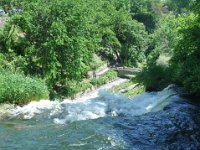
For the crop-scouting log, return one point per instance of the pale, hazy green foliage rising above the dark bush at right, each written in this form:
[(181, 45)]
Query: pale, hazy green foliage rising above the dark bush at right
[(165, 37)]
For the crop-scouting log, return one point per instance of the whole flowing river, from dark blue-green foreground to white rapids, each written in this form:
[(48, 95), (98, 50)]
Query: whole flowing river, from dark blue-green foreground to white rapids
[(103, 121)]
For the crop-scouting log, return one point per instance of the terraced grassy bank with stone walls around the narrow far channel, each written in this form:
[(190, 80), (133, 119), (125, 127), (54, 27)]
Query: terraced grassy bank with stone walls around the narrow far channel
[(129, 88)]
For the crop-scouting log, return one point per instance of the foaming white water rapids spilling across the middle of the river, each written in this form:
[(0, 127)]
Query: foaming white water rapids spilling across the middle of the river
[(99, 103)]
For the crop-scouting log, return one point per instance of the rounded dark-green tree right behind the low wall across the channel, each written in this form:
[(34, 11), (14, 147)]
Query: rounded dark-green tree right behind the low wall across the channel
[(133, 39)]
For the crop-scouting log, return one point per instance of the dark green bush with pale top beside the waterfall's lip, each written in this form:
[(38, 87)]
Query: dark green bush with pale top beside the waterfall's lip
[(157, 74)]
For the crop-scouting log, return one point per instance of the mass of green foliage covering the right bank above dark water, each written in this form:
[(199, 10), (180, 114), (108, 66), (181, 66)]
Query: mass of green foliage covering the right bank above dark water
[(177, 37)]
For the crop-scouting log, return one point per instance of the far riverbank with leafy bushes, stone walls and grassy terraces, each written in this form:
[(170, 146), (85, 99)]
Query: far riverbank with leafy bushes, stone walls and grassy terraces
[(18, 89)]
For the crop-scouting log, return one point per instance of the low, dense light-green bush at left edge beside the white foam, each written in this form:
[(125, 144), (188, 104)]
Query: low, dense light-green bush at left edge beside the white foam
[(18, 89)]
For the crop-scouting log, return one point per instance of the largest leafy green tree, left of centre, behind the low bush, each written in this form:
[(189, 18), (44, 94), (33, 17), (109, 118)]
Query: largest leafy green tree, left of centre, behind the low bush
[(58, 39)]
